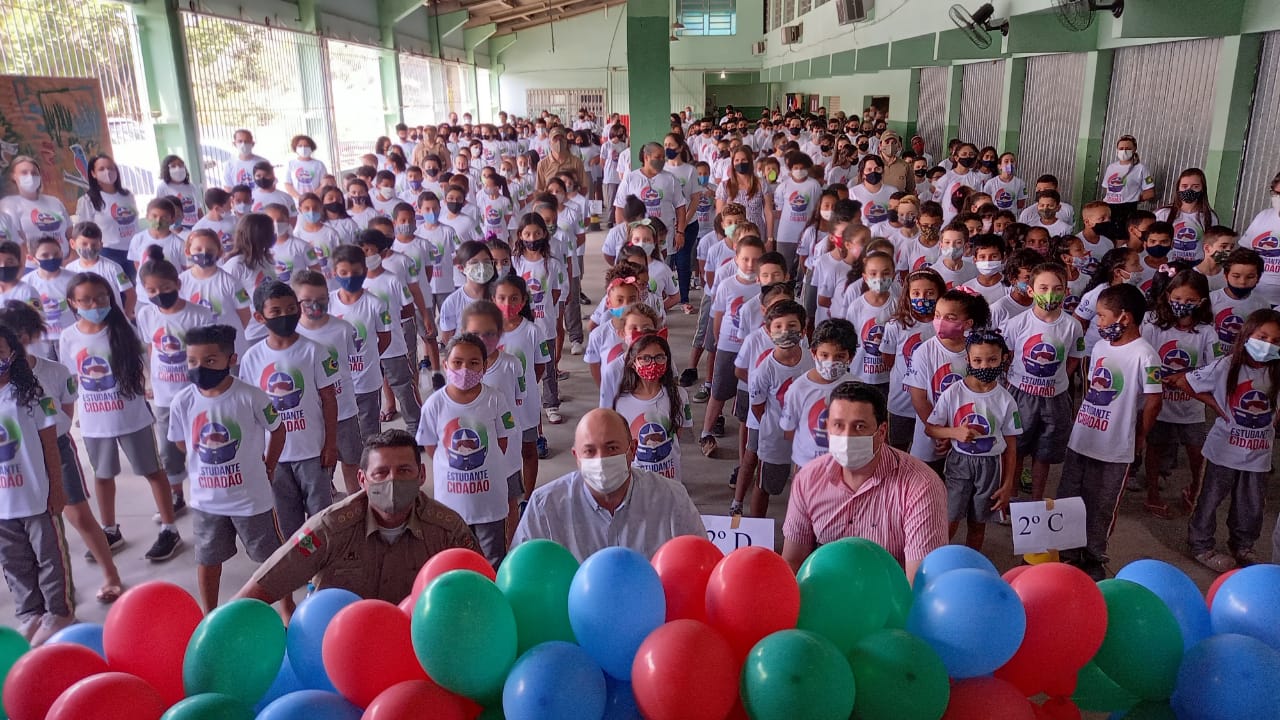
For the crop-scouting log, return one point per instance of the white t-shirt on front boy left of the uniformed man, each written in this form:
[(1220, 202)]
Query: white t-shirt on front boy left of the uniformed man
[(226, 440)]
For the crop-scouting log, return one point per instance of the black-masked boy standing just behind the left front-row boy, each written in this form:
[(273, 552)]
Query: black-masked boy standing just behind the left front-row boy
[(299, 376)]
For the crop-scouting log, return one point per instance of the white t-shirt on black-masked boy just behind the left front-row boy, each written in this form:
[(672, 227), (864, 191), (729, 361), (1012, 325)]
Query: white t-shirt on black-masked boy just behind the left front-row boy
[(294, 379)]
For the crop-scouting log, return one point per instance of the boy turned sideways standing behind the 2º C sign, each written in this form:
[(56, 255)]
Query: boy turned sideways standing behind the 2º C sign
[(1122, 403)]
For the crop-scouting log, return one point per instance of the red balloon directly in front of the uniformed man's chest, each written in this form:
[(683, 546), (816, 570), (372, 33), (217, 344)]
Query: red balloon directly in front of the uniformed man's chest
[(368, 649)]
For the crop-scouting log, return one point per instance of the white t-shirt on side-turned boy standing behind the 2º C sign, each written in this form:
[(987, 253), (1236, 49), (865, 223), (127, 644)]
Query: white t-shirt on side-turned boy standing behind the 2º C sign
[(1114, 388)]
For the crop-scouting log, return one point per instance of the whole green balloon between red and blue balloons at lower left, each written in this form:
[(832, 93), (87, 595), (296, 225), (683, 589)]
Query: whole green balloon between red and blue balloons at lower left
[(236, 651)]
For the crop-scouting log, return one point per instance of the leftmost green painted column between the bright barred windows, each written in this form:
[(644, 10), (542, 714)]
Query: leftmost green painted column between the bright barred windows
[(168, 81)]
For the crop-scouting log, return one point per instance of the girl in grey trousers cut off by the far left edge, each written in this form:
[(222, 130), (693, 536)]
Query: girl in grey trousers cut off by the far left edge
[(33, 546)]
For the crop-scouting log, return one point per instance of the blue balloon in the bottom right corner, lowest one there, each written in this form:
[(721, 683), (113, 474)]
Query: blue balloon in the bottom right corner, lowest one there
[(1228, 677)]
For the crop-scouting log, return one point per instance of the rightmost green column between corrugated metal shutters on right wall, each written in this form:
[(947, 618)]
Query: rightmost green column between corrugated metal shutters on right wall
[(1237, 78)]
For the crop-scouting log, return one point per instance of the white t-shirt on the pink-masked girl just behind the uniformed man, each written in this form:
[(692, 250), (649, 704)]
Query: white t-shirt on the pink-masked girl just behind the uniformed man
[(468, 468)]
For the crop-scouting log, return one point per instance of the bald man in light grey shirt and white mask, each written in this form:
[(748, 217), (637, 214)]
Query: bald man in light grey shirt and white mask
[(606, 502)]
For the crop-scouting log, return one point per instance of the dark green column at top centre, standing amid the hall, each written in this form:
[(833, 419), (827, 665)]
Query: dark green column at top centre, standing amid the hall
[(650, 78)]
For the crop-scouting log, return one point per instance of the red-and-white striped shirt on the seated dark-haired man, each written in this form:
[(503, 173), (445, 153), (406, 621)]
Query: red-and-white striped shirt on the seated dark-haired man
[(903, 507)]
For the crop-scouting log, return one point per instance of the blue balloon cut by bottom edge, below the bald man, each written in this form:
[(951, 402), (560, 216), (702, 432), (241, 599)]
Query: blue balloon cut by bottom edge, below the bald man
[(552, 681)]
